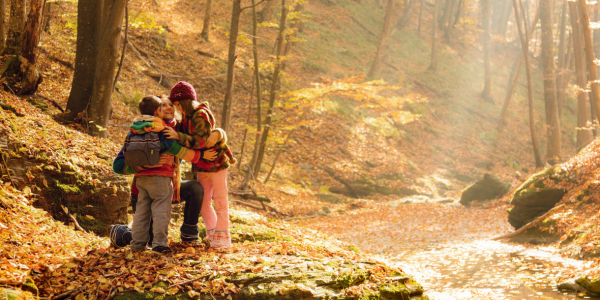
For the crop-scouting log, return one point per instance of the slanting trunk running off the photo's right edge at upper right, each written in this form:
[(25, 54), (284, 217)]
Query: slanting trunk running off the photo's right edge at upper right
[(589, 55)]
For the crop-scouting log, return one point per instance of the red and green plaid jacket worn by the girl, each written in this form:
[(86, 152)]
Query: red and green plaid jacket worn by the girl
[(194, 134)]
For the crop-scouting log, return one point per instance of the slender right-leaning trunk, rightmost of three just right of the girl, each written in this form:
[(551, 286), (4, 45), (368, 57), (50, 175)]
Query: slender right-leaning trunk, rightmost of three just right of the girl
[(274, 88)]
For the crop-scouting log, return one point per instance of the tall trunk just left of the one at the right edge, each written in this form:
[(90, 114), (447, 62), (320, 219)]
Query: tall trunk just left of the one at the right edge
[(584, 136)]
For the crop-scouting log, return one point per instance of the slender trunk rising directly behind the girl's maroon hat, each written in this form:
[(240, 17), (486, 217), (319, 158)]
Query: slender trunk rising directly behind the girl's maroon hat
[(231, 57)]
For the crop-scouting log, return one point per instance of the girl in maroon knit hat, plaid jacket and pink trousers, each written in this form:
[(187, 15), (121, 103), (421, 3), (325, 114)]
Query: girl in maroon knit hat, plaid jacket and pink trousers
[(199, 132)]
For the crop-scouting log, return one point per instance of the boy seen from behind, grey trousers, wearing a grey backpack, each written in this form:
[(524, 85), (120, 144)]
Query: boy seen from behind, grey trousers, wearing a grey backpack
[(155, 183)]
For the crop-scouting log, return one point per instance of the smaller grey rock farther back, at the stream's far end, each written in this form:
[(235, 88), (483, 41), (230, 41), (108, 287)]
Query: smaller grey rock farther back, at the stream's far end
[(490, 187)]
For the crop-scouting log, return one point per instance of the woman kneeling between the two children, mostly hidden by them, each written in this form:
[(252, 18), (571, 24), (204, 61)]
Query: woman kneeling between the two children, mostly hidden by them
[(191, 192)]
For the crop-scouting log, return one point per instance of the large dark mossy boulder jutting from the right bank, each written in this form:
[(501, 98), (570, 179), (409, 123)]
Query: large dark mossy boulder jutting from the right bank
[(533, 198)]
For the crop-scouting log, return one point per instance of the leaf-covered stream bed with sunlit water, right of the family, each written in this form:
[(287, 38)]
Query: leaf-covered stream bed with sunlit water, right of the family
[(448, 249)]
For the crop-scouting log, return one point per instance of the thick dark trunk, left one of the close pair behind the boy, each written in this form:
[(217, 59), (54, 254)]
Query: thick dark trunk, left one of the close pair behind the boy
[(88, 27)]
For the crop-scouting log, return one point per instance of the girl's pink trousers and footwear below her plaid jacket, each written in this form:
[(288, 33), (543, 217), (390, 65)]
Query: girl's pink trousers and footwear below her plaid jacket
[(217, 219)]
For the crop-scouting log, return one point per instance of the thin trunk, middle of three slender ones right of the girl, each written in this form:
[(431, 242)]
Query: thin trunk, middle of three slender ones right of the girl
[(252, 165)]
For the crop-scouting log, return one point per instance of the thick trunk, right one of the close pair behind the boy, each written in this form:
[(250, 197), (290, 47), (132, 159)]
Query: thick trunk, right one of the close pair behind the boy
[(100, 106)]
